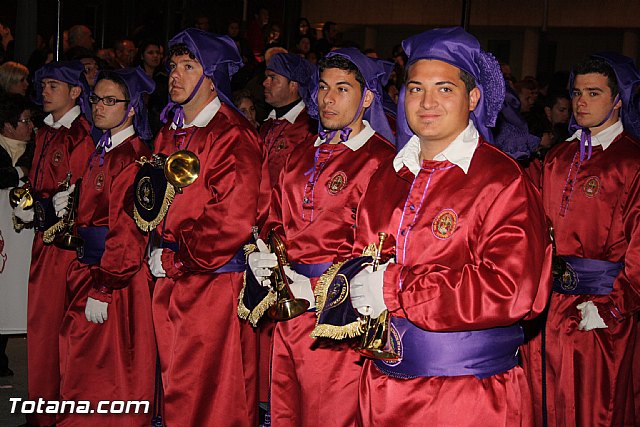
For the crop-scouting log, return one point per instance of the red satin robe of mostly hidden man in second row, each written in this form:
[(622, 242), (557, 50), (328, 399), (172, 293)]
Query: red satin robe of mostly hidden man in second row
[(281, 137)]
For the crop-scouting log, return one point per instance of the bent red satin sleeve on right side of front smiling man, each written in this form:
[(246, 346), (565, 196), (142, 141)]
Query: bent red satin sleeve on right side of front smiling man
[(497, 289)]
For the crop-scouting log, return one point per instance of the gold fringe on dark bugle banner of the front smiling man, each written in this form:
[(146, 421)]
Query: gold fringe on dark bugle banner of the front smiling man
[(334, 332)]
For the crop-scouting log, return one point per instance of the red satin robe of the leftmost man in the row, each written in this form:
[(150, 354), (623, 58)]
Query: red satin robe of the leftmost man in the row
[(57, 152)]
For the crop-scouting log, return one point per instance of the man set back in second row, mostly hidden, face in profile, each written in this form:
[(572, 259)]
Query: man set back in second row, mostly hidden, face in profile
[(287, 88)]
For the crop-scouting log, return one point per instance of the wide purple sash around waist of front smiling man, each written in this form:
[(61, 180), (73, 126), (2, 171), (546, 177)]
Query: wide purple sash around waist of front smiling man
[(428, 354)]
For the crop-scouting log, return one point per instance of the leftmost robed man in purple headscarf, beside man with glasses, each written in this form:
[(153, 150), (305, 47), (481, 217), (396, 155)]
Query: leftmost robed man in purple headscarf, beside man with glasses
[(63, 145)]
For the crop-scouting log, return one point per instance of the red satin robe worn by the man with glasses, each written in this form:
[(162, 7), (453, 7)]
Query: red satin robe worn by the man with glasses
[(115, 360)]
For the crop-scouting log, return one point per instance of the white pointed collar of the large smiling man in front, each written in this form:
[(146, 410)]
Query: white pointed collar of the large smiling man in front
[(459, 151)]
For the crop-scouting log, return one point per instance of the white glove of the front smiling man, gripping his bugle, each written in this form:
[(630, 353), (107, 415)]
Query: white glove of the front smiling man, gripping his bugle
[(367, 291)]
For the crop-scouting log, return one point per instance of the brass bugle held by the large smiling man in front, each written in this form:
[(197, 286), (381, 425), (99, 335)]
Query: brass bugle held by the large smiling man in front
[(375, 340)]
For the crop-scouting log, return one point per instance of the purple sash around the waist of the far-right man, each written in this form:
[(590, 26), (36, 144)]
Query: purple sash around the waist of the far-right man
[(586, 276)]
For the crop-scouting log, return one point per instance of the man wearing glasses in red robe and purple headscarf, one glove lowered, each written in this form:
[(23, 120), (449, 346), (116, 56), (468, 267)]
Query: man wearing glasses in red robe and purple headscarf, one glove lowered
[(108, 285)]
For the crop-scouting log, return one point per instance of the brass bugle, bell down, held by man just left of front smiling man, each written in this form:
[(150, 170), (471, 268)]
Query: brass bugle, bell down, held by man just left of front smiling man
[(287, 306)]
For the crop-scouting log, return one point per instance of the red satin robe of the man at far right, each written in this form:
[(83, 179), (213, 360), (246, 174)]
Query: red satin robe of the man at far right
[(589, 373)]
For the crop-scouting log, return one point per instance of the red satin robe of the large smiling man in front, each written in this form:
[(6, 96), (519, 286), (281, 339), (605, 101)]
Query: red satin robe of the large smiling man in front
[(472, 253)]
